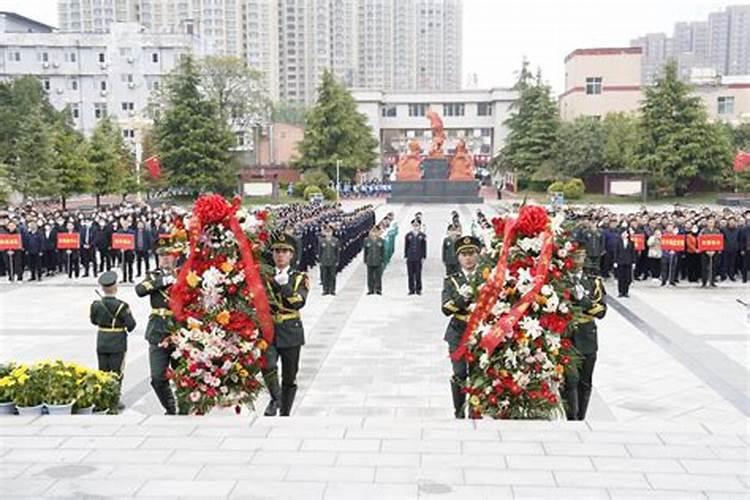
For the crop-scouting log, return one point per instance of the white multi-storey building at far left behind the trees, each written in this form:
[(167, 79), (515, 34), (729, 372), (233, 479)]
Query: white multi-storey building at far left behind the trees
[(97, 74)]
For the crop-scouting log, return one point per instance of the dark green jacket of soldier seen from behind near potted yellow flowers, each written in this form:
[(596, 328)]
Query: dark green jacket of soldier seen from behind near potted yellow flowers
[(114, 320)]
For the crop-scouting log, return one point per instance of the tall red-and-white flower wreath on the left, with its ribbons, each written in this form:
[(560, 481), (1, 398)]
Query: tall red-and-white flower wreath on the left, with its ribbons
[(223, 320)]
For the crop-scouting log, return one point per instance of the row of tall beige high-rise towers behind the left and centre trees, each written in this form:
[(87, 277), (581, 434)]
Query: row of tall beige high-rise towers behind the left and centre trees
[(379, 44)]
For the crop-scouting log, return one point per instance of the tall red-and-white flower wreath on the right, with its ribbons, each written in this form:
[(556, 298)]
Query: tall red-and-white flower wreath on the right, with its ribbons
[(517, 337)]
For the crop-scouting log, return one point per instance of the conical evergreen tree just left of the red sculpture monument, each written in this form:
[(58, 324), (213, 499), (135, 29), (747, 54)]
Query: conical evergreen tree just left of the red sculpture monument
[(335, 130)]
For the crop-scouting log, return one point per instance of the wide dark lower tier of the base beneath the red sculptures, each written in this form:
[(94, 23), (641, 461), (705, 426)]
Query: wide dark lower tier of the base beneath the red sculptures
[(435, 191)]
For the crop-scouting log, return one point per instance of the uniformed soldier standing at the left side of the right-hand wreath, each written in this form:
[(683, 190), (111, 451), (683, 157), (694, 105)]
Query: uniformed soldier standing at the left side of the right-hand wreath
[(459, 290)]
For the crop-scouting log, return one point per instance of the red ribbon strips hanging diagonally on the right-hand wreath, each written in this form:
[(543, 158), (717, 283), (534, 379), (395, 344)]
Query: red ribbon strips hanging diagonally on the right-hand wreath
[(491, 291)]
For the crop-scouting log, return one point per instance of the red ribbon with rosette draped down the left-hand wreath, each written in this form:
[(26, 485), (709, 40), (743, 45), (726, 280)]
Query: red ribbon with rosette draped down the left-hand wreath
[(213, 209)]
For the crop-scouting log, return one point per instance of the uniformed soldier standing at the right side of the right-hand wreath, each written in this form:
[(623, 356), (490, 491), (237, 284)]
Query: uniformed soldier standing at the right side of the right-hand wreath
[(590, 296)]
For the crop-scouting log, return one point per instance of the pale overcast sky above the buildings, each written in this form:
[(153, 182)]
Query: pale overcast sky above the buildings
[(499, 33)]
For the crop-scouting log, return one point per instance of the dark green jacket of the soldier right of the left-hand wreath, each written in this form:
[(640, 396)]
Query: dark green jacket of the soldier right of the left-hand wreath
[(286, 302)]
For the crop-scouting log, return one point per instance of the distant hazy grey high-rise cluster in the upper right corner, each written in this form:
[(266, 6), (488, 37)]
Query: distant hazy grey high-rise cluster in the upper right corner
[(720, 45)]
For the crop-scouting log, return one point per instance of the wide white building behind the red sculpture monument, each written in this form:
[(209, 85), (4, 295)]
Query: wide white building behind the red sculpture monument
[(476, 116)]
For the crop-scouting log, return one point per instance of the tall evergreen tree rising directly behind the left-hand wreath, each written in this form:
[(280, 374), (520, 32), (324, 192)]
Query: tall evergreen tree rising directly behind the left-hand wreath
[(193, 139)]
